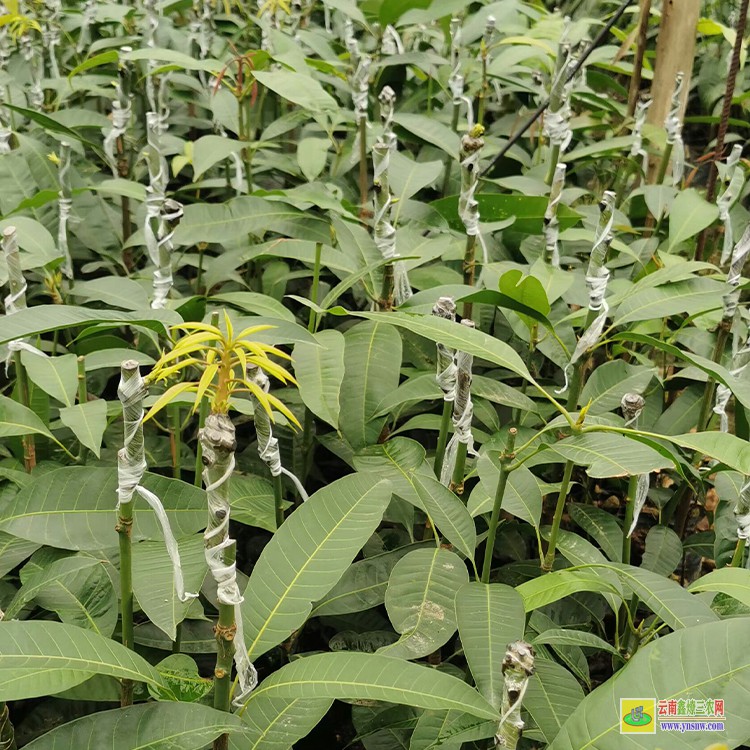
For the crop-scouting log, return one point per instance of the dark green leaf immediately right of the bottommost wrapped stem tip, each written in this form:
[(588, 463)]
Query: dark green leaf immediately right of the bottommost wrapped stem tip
[(552, 695)]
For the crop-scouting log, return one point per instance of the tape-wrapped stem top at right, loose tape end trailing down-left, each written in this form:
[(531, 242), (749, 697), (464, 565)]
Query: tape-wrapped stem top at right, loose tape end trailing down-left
[(597, 278)]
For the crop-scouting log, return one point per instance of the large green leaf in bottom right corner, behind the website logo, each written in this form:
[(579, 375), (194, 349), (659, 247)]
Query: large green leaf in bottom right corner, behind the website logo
[(710, 669)]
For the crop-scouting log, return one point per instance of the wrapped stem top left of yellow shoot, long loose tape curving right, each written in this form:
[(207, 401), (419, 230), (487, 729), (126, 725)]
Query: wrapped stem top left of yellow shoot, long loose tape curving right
[(131, 465)]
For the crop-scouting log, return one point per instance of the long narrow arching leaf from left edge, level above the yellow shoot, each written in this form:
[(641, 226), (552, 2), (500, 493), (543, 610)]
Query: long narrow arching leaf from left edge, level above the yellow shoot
[(44, 318)]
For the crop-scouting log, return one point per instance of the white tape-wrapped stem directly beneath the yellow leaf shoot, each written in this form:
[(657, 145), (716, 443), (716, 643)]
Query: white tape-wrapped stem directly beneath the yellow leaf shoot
[(218, 441)]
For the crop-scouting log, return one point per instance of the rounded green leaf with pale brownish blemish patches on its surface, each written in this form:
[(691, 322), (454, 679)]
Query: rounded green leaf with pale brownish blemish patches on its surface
[(420, 601)]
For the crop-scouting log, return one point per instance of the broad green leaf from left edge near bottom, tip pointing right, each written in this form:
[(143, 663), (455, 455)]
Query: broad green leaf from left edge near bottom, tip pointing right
[(38, 653)]
